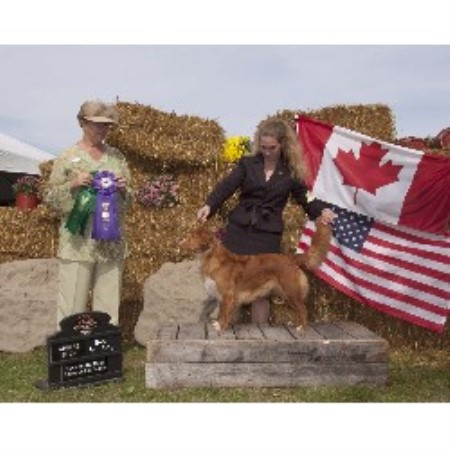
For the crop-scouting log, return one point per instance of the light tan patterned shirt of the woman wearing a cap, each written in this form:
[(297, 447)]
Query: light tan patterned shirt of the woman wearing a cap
[(61, 198)]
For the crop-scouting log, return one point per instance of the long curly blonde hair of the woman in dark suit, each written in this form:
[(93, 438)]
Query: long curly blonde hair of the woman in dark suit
[(291, 151)]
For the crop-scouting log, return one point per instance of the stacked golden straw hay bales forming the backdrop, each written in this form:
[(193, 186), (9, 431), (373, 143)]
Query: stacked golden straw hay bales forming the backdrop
[(188, 148)]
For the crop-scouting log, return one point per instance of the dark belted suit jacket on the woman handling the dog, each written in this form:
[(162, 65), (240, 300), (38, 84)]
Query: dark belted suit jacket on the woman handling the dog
[(261, 202)]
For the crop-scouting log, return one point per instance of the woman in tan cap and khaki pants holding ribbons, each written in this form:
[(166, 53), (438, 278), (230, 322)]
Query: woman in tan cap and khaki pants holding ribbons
[(91, 241)]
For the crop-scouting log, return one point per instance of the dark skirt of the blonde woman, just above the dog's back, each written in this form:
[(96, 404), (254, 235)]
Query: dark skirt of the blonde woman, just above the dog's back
[(245, 240)]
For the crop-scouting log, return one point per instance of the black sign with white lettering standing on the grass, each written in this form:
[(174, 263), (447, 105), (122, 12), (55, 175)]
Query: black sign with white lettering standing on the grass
[(87, 350)]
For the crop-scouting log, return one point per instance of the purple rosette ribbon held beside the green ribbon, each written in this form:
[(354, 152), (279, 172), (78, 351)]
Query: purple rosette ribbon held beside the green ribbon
[(106, 217)]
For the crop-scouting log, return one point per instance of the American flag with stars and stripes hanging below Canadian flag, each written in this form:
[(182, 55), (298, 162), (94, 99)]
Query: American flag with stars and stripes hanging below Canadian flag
[(402, 272)]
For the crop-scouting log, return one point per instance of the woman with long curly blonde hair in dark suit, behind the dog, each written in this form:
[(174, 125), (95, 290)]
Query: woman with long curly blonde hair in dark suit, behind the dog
[(266, 179)]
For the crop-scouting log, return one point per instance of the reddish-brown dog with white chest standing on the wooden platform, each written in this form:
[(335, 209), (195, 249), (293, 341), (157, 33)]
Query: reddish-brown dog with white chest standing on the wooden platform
[(233, 280)]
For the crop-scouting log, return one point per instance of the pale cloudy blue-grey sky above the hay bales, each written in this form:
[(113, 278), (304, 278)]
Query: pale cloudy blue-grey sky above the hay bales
[(237, 85)]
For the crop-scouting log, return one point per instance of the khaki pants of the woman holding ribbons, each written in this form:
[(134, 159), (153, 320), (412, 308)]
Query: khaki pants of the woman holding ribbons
[(76, 279)]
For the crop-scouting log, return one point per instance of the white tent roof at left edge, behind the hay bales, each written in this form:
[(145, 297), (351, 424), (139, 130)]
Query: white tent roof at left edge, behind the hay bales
[(18, 157)]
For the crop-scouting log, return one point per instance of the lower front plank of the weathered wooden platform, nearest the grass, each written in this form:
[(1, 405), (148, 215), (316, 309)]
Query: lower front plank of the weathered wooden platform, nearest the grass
[(170, 375)]
